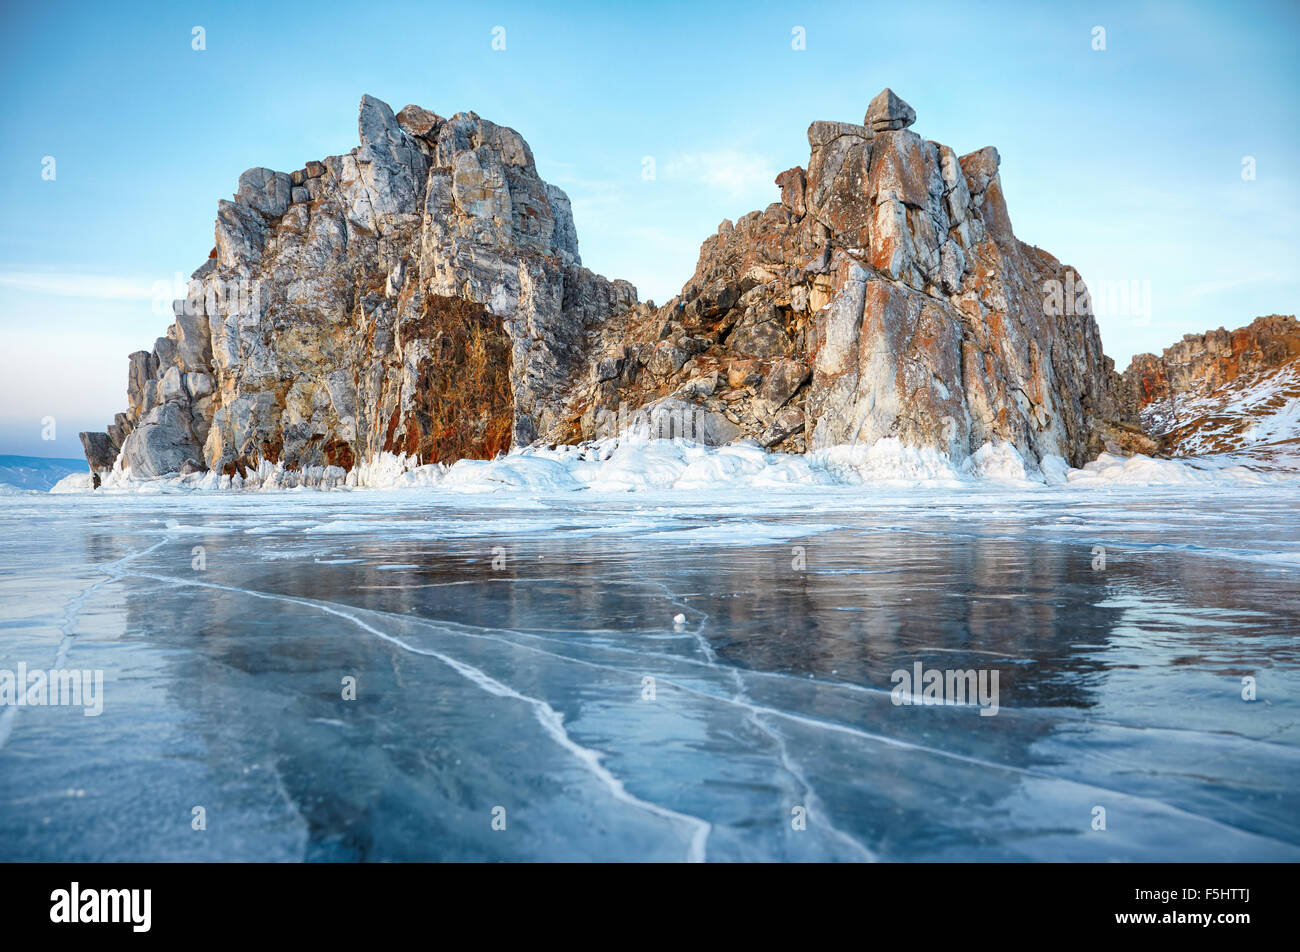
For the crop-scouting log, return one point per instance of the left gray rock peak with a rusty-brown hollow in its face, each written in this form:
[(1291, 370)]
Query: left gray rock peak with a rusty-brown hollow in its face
[(421, 295)]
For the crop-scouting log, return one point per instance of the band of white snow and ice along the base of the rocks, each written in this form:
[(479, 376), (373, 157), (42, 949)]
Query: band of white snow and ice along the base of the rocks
[(636, 464)]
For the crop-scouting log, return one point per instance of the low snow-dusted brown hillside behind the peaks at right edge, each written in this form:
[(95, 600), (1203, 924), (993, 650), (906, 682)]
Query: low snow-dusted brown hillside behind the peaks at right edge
[(1224, 391)]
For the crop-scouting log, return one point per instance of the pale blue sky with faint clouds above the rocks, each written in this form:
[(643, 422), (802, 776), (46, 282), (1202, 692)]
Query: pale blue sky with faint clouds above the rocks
[(1126, 163)]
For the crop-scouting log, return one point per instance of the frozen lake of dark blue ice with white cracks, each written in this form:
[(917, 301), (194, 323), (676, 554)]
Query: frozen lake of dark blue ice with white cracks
[(517, 664)]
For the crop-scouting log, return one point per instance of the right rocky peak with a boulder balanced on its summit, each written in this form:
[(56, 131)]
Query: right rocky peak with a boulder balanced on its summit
[(885, 296)]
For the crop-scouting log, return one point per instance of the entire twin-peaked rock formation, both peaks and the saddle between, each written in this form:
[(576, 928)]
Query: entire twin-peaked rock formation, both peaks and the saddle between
[(424, 295)]
